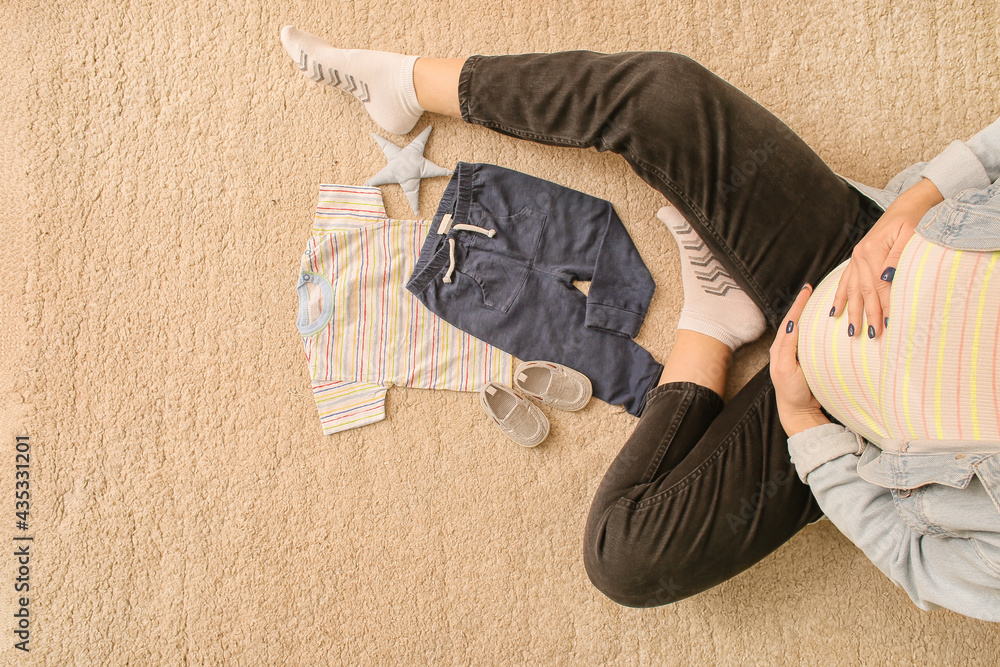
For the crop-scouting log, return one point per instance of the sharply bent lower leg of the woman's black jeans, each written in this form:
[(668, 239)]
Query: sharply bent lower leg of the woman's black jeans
[(699, 493)]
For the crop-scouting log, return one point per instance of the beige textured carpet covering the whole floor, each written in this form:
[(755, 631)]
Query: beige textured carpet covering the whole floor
[(159, 164)]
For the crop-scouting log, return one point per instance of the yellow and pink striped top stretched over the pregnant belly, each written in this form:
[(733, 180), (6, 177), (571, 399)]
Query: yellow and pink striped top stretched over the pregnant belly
[(933, 374)]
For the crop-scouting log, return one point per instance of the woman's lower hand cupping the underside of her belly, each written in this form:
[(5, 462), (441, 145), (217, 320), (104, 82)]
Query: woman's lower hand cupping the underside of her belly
[(798, 409)]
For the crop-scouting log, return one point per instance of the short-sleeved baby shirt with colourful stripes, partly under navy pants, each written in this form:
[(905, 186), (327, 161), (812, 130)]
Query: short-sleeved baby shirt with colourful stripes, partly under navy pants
[(361, 329)]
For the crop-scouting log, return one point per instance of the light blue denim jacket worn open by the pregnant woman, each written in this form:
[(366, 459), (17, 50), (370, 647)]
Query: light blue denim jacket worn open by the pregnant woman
[(927, 513)]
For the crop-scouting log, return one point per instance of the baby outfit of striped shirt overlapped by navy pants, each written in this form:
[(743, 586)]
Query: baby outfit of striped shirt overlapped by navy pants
[(494, 278)]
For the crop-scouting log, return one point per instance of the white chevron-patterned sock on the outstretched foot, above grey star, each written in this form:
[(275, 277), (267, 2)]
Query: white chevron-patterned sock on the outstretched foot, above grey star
[(382, 81)]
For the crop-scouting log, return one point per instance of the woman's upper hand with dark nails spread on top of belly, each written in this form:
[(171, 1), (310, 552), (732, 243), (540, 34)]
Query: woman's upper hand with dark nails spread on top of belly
[(864, 285)]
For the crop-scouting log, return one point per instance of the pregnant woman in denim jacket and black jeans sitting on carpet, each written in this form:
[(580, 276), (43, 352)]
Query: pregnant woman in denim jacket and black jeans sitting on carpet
[(897, 343)]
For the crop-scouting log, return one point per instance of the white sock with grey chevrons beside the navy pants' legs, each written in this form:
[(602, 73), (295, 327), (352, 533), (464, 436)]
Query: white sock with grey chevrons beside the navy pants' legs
[(713, 303)]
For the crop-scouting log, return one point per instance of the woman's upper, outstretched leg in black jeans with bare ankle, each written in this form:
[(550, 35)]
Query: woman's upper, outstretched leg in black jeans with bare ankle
[(767, 206)]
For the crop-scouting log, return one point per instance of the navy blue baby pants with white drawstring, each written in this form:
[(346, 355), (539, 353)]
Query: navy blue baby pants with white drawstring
[(502, 269)]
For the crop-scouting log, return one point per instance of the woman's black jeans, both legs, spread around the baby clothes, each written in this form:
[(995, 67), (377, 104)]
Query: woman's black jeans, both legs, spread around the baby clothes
[(702, 489)]
